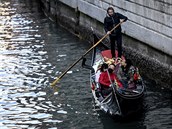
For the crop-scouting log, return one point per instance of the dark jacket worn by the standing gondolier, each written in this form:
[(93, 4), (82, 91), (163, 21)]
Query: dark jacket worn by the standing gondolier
[(112, 21)]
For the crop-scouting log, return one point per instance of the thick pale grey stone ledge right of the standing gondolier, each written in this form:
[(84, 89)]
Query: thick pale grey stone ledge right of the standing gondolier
[(145, 35)]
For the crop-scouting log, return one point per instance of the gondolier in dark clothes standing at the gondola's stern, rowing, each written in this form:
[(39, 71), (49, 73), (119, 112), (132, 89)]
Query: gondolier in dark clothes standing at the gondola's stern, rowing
[(111, 20)]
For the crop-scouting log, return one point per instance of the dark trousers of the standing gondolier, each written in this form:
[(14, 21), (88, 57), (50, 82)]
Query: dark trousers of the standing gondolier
[(113, 40)]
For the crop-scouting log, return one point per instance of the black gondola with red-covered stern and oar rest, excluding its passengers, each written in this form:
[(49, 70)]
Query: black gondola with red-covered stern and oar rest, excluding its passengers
[(117, 104)]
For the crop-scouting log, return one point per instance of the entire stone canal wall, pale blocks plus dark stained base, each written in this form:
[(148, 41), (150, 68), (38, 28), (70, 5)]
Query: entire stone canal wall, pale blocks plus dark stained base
[(148, 32)]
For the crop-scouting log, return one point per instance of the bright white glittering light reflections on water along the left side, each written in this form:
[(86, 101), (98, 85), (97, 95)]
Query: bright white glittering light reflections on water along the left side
[(22, 104)]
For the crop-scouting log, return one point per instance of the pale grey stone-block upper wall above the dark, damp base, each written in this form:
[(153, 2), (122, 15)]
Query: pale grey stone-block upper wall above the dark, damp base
[(149, 21)]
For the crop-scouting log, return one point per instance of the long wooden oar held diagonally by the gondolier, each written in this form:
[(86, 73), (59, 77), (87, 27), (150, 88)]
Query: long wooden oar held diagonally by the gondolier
[(58, 78)]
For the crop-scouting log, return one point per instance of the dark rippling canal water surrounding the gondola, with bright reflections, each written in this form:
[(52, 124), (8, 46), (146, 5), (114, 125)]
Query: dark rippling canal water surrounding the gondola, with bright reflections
[(33, 51)]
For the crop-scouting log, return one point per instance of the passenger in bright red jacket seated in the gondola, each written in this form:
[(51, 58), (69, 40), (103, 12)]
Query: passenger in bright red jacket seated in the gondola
[(105, 81)]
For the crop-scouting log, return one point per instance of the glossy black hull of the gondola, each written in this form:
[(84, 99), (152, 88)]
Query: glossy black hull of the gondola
[(117, 105)]
